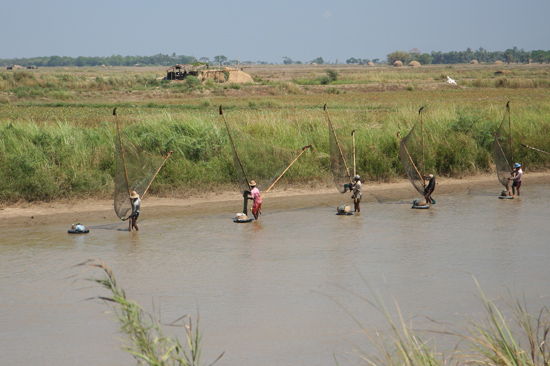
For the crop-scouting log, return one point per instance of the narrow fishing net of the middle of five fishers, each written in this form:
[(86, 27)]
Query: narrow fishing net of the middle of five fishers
[(341, 157)]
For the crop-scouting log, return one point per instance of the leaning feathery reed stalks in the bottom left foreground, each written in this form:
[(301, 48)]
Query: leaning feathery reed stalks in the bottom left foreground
[(145, 339)]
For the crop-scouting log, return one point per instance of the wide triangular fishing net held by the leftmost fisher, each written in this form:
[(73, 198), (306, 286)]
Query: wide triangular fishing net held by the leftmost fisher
[(135, 170)]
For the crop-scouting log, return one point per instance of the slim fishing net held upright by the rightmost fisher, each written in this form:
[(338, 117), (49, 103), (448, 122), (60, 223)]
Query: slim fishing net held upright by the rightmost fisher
[(503, 149)]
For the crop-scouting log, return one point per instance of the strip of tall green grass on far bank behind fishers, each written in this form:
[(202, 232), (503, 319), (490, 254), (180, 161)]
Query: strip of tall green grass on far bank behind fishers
[(57, 152)]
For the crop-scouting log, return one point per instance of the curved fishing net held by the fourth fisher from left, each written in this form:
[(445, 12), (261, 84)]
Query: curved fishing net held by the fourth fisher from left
[(412, 157)]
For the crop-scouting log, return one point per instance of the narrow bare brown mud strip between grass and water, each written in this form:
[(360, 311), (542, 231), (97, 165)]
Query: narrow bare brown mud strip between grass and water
[(87, 210)]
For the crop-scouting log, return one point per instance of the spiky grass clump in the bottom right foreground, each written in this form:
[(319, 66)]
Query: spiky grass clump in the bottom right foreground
[(507, 335)]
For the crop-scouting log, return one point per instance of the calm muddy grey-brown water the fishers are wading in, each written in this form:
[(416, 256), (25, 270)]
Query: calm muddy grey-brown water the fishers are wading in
[(274, 291)]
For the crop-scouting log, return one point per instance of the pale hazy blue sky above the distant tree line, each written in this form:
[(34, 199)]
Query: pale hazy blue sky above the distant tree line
[(268, 31)]
